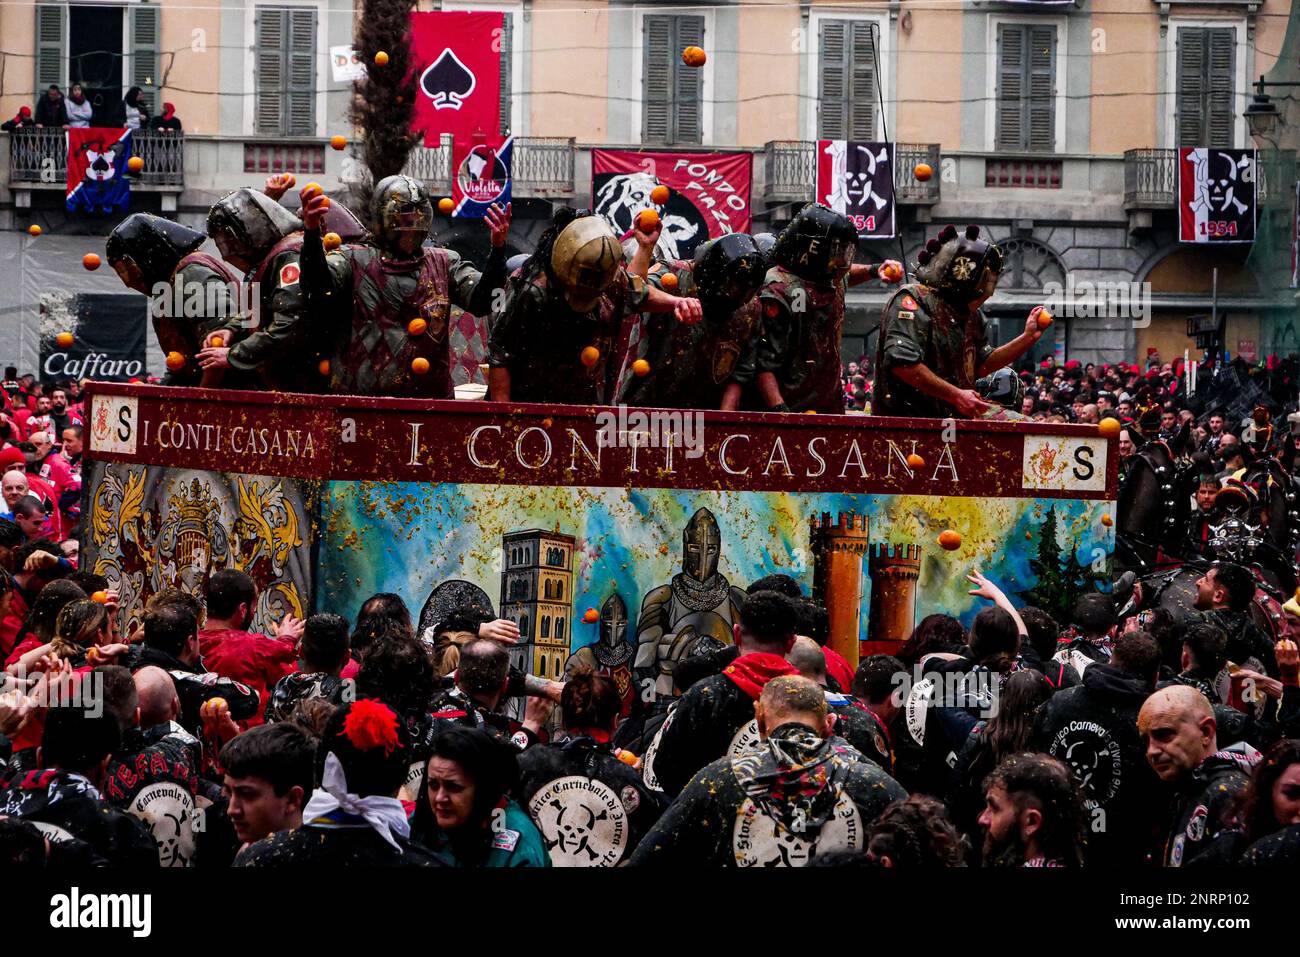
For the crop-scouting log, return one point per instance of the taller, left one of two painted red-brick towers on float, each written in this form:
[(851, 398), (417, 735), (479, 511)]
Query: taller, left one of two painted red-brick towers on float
[(838, 551)]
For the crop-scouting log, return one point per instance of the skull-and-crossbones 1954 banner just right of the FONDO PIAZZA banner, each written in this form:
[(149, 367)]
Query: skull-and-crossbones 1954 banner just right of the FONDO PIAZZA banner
[(857, 180)]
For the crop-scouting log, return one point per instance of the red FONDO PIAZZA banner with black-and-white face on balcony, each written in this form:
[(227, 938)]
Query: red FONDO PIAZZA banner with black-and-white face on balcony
[(710, 194)]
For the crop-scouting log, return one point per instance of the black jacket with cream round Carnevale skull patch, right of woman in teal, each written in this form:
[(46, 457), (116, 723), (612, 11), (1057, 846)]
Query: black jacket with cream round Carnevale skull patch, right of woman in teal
[(591, 808)]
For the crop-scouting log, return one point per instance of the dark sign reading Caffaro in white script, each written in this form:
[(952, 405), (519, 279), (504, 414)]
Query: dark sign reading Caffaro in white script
[(109, 336)]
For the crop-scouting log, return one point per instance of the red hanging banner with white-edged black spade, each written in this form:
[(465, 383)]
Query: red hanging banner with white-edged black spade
[(456, 58)]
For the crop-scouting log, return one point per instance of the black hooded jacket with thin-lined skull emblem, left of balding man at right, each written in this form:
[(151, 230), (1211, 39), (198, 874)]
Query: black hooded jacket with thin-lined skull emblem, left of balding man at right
[(1093, 729)]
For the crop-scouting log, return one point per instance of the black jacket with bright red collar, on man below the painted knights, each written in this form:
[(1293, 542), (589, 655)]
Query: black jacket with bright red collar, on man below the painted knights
[(710, 716)]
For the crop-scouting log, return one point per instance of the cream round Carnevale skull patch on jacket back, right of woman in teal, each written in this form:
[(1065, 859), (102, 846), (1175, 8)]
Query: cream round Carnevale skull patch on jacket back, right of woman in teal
[(583, 822)]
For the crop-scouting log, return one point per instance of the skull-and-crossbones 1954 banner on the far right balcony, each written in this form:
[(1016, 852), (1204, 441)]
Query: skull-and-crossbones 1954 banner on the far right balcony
[(1216, 196)]
